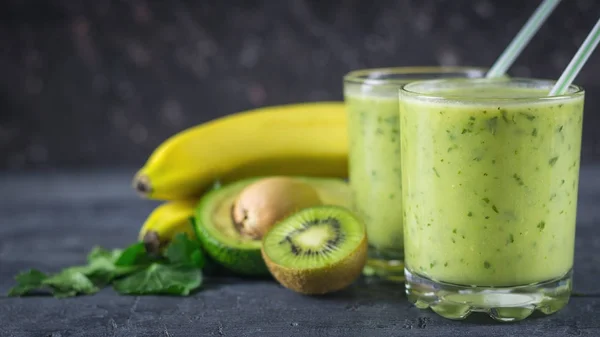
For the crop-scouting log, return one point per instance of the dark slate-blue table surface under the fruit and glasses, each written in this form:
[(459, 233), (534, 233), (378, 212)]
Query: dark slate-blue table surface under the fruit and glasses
[(51, 220)]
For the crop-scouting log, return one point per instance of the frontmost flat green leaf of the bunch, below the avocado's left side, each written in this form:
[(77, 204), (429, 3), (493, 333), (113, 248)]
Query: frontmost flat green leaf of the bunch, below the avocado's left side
[(161, 279)]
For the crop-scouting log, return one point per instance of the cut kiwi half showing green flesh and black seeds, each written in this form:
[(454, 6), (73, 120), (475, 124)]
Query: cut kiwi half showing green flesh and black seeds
[(317, 250)]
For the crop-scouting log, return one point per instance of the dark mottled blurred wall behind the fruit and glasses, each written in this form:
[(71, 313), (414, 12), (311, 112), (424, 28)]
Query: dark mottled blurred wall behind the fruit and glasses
[(101, 83)]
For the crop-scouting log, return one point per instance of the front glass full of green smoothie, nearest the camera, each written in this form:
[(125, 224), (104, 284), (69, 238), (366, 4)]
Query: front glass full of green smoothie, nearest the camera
[(490, 173)]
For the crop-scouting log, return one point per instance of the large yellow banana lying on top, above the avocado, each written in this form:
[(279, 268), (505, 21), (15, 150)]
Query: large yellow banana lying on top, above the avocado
[(307, 139)]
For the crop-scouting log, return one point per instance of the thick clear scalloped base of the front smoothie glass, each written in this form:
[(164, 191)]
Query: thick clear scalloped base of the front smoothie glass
[(505, 304)]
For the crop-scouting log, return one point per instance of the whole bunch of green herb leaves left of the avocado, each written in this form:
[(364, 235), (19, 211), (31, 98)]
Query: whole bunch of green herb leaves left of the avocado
[(130, 271)]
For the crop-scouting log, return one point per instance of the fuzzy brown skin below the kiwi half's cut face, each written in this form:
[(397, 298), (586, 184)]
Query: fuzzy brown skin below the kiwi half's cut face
[(323, 280)]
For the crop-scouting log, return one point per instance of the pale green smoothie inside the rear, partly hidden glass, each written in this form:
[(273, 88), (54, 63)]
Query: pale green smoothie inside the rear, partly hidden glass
[(374, 170)]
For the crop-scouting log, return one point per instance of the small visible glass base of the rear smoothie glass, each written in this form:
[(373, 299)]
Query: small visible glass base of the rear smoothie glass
[(388, 266)]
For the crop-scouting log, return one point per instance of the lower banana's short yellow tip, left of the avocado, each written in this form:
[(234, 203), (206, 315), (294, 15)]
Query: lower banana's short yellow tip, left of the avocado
[(166, 221)]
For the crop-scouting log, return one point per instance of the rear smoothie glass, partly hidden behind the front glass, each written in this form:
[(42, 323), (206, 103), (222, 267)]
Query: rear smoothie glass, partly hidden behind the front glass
[(371, 97)]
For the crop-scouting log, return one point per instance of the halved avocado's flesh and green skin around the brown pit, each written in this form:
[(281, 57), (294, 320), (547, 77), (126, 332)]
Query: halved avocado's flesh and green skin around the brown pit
[(221, 239)]
